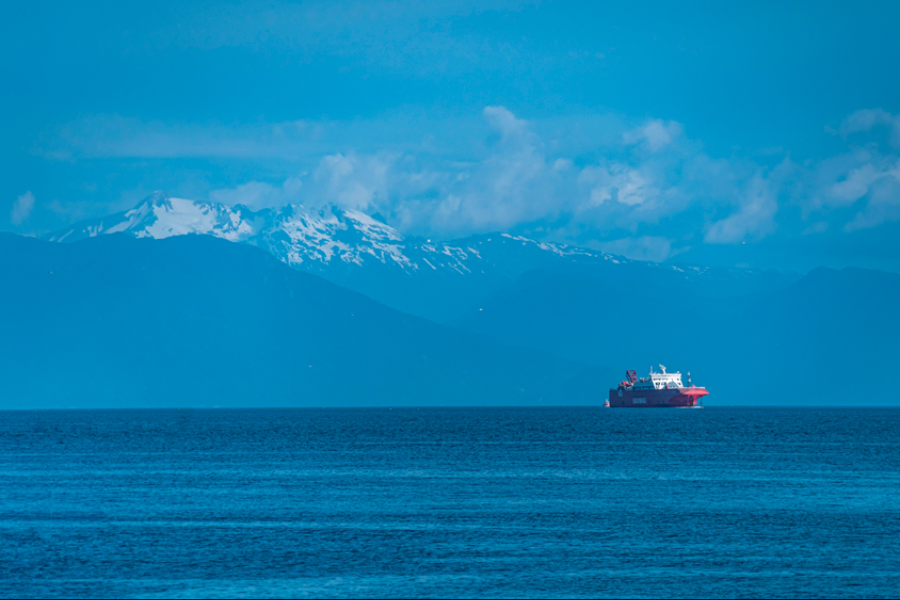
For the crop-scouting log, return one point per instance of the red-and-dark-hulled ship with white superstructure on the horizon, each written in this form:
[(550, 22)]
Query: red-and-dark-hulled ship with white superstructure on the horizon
[(657, 390)]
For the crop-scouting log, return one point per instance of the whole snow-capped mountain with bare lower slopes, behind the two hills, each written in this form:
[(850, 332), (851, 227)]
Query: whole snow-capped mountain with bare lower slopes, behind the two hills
[(436, 280)]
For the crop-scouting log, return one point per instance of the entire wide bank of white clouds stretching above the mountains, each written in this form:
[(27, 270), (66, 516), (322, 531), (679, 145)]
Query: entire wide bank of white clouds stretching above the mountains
[(645, 189)]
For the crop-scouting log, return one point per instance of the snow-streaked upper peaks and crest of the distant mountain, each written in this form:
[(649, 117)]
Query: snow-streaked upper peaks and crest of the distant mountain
[(309, 240)]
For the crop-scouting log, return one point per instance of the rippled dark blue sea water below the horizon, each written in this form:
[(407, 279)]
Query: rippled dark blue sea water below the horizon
[(486, 502)]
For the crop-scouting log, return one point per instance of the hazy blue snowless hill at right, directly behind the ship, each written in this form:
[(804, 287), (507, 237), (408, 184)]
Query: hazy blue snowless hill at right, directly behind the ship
[(830, 337)]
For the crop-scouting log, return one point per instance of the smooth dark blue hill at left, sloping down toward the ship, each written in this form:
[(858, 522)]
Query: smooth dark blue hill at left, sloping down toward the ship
[(196, 321)]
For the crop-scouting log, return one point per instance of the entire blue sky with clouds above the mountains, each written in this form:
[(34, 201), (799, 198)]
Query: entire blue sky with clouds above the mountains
[(755, 133)]
